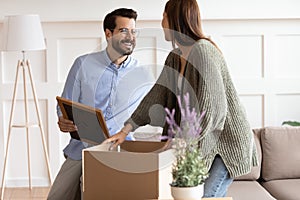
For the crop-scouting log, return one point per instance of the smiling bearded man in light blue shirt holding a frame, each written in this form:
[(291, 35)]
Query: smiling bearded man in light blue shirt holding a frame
[(110, 80)]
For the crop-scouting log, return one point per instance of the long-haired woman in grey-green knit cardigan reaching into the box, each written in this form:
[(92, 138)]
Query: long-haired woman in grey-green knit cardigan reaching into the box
[(198, 67)]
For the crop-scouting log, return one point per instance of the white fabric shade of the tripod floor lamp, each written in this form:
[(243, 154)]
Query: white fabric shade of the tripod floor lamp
[(23, 33)]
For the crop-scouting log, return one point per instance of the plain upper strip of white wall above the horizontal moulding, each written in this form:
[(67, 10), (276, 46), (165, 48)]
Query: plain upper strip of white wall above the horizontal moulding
[(82, 10)]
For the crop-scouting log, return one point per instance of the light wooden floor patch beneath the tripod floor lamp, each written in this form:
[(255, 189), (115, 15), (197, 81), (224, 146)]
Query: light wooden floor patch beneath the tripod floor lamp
[(37, 193)]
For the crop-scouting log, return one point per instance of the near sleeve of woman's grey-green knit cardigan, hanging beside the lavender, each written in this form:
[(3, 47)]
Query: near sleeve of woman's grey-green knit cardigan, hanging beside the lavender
[(207, 88)]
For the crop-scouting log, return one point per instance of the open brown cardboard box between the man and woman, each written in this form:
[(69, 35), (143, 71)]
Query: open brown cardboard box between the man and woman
[(141, 170)]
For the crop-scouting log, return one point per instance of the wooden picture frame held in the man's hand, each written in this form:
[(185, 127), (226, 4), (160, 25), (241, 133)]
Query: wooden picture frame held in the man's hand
[(89, 121)]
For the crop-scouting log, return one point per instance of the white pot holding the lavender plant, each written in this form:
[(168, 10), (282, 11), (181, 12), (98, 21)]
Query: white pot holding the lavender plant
[(187, 193)]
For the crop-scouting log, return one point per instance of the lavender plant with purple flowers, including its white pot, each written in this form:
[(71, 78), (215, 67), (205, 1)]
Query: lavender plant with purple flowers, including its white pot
[(189, 170)]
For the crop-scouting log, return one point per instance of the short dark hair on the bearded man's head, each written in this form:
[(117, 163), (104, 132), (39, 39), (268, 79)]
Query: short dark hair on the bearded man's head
[(110, 19)]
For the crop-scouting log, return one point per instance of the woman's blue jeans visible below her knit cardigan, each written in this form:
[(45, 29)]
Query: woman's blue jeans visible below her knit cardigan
[(218, 181)]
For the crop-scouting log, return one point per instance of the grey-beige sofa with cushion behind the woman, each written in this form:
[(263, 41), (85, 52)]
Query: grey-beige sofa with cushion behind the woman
[(278, 175)]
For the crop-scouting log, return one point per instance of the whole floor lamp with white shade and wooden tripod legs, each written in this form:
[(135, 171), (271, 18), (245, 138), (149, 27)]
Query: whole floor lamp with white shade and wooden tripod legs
[(24, 33)]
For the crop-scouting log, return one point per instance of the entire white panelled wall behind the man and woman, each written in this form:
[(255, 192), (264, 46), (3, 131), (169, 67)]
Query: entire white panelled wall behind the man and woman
[(259, 39)]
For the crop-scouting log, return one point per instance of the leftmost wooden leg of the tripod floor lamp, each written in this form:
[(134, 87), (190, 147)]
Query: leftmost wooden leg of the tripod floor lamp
[(9, 129)]
